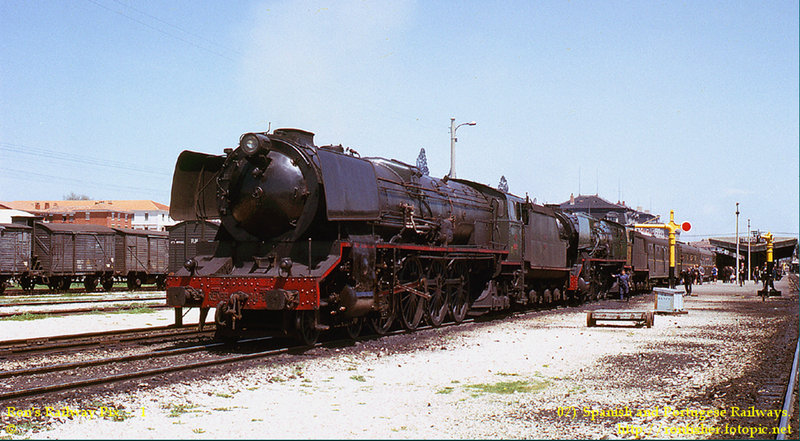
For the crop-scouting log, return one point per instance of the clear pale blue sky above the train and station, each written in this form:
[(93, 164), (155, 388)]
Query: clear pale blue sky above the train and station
[(691, 106)]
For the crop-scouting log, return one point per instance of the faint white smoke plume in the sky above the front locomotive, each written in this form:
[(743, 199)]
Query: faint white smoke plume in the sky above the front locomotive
[(303, 59)]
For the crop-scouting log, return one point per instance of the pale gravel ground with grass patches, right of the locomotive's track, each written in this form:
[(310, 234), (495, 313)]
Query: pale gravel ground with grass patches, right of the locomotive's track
[(542, 374)]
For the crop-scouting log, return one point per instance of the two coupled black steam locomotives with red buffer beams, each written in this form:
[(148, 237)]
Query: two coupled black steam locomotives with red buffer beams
[(318, 238)]
